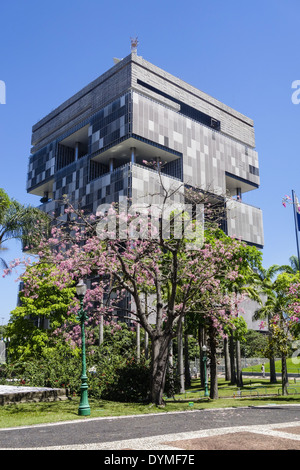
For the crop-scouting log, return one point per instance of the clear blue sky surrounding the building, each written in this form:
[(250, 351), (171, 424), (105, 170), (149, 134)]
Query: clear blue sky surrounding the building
[(246, 54)]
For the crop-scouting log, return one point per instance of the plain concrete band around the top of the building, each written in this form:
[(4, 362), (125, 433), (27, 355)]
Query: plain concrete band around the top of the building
[(121, 78)]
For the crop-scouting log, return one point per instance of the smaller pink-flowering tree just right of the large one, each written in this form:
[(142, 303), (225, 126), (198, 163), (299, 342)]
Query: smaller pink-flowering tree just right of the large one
[(215, 313)]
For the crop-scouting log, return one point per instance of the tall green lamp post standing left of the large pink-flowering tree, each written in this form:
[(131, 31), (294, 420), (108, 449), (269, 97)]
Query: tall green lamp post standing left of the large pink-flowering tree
[(84, 407)]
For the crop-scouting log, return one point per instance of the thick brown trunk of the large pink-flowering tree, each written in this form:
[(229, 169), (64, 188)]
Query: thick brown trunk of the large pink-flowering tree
[(159, 362)]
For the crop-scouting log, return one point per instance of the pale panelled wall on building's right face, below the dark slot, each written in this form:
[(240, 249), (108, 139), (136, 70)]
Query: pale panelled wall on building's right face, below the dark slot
[(207, 154)]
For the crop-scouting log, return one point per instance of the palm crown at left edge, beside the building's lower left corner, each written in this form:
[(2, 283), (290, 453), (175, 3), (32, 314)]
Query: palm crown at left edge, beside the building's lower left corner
[(24, 223)]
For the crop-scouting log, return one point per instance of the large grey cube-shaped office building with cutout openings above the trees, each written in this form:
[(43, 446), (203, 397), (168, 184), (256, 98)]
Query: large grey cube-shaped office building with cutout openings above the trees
[(92, 147)]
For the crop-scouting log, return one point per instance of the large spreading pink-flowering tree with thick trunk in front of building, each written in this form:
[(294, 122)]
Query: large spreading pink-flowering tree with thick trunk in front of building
[(172, 275)]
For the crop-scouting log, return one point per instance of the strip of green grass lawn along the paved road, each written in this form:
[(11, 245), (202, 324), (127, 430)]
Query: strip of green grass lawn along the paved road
[(23, 414)]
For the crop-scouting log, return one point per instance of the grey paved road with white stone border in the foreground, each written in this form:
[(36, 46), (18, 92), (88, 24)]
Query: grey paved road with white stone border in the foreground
[(157, 431)]
